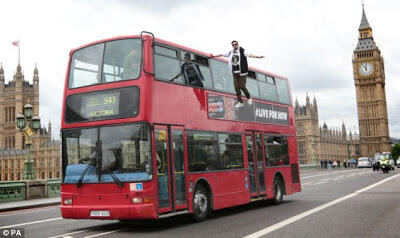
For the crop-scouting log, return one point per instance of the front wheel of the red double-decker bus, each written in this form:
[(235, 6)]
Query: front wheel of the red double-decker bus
[(200, 203)]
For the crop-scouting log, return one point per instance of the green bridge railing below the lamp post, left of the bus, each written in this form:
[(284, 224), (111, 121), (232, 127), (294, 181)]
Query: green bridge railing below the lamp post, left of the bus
[(17, 191)]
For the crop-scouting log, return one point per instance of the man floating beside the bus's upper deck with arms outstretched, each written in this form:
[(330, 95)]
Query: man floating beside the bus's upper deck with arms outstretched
[(239, 68)]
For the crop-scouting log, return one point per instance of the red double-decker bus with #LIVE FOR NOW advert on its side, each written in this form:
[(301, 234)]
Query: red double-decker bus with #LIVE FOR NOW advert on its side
[(150, 130)]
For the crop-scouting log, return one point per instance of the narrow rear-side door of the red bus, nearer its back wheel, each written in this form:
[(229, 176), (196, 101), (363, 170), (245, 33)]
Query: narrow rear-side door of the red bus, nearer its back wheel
[(255, 163)]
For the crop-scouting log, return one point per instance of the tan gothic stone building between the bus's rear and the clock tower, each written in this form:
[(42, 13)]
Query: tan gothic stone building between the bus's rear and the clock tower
[(317, 143)]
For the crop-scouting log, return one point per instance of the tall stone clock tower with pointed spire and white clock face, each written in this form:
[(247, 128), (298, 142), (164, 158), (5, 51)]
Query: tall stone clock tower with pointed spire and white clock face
[(369, 79)]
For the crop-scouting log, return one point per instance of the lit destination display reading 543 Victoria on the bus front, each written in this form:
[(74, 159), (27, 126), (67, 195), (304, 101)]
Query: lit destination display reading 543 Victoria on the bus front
[(103, 104)]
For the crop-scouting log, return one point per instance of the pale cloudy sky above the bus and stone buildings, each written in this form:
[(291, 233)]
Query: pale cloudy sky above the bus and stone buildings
[(310, 41)]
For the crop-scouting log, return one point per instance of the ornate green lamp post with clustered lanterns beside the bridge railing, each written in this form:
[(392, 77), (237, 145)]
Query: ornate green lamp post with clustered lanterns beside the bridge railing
[(28, 125)]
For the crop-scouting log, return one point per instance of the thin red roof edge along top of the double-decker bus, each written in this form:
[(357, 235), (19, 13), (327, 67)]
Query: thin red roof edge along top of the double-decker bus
[(165, 42)]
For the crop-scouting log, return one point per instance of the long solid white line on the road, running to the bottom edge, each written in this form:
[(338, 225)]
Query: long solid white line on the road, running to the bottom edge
[(314, 210)]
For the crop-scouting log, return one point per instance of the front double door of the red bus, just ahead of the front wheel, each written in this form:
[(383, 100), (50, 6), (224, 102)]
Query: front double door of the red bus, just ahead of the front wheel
[(170, 168)]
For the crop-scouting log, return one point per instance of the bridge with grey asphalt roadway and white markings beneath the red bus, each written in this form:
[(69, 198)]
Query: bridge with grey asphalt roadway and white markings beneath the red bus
[(333, 203)]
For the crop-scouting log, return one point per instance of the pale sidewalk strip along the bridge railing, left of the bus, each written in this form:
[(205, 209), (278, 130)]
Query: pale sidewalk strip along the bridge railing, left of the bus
[(10, 206)]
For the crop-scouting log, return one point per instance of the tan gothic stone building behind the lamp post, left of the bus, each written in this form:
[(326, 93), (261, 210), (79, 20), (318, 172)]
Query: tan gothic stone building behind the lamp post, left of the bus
[(45, 152)]
